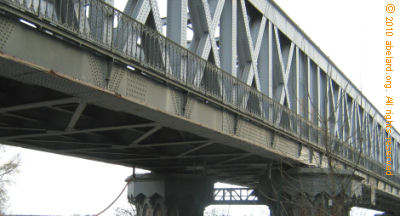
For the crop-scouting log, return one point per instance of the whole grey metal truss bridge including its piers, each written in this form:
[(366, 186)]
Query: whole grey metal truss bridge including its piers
[(257, 104)]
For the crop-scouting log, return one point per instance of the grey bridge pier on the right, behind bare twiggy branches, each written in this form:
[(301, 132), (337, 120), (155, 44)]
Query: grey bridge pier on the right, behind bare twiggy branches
[(311, 192)]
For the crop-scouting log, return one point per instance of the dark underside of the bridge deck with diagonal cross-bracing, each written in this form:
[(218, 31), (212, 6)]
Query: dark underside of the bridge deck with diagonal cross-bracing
[(54, 121)]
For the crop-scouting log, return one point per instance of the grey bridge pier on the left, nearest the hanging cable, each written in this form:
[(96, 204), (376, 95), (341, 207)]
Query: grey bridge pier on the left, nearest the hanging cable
[(164, 195)]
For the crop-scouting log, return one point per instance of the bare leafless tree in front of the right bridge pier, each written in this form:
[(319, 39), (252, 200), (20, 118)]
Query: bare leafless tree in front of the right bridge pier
[(333, 145)]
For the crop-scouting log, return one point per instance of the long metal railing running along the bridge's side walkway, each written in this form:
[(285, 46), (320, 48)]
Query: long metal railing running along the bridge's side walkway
[(109, 28)]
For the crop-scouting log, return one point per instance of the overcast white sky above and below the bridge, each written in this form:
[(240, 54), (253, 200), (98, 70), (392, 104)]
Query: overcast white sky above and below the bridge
[(351, 33)]
